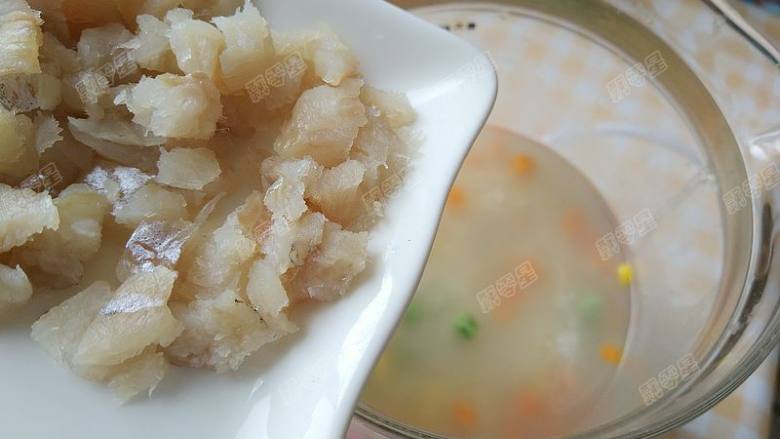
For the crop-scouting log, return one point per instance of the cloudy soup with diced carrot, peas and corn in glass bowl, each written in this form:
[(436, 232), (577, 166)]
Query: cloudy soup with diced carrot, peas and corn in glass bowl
[(518, 324)]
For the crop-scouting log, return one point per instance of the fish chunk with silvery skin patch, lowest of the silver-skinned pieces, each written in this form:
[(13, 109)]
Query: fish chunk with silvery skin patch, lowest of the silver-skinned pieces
[(137, 316)]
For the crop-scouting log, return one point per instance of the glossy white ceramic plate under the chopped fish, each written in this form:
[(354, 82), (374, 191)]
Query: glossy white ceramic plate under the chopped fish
[(306, 385)]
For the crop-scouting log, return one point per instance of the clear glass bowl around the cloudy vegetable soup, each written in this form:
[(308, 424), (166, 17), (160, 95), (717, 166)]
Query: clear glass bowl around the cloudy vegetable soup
[(667, 107)]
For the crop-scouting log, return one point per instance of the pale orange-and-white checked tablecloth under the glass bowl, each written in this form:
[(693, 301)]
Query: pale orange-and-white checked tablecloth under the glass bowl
[(553, 88)]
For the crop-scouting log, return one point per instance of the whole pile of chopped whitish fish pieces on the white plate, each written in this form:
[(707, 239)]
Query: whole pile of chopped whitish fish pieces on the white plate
[(220, 171)]
